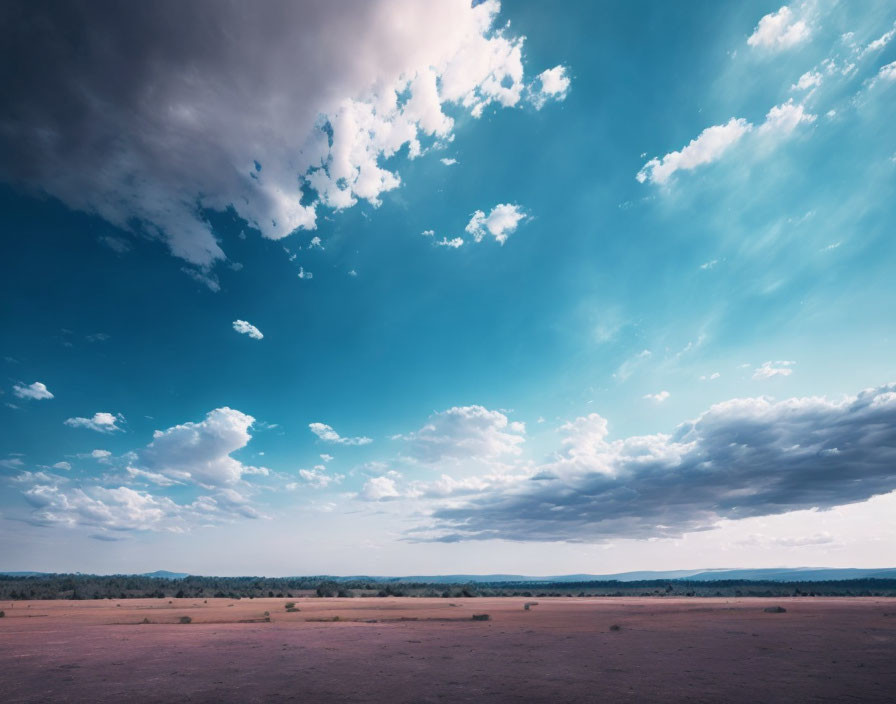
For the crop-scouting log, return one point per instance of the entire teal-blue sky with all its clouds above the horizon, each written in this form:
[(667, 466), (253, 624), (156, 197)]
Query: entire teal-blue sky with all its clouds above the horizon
[(396, 287)]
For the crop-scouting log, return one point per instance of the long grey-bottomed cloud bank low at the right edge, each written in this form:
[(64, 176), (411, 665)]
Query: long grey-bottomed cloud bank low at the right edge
[(742, 458)]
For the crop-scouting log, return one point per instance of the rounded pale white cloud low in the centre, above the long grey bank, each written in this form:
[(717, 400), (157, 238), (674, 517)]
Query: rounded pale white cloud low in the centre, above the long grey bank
[(466, 432)]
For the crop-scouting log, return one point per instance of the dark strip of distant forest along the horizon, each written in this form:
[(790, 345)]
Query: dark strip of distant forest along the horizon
[(80, 586)]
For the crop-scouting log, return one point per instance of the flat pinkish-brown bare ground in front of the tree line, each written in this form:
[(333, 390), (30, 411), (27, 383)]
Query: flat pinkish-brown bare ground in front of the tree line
[(431, 650)]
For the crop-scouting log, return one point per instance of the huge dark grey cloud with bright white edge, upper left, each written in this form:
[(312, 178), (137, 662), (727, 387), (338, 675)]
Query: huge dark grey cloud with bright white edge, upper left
[(113, 124)]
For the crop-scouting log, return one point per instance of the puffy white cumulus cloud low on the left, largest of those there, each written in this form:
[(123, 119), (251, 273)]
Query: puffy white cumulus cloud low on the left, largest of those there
[(200, 452)]
